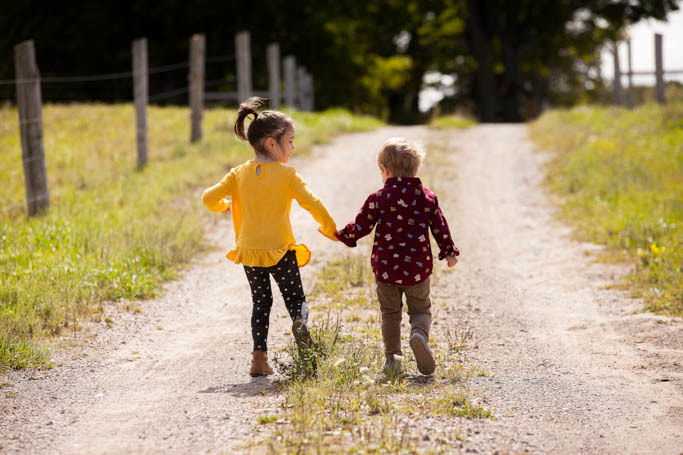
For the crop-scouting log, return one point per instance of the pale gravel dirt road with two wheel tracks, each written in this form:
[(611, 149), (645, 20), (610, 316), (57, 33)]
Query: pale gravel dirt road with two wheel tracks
[(573, 370)]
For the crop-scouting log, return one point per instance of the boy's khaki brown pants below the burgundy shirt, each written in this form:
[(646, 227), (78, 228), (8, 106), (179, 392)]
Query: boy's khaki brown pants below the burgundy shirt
[(390, 302)]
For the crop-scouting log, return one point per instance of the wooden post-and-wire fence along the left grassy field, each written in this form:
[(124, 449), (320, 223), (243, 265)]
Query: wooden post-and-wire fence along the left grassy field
[(298, 93)]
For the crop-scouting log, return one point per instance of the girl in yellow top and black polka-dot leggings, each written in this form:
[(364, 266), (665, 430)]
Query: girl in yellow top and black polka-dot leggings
[(262, 190)]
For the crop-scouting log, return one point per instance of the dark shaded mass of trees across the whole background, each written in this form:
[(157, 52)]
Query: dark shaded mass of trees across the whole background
[(506, 58)]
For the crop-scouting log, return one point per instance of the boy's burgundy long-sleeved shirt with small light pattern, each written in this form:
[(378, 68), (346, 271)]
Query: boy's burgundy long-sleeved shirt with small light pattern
[(404, 212)]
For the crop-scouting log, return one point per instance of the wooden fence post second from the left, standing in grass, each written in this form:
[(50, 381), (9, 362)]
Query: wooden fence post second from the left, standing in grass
[(141, 95)]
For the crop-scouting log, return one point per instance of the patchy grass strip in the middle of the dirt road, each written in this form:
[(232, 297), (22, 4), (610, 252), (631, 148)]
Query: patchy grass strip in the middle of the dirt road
[(348, 405)]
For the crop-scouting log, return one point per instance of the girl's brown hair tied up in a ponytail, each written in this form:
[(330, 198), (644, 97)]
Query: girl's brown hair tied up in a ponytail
[(264, 125)]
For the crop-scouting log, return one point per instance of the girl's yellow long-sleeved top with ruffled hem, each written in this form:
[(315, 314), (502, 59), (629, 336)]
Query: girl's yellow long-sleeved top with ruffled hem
[(260, 208)]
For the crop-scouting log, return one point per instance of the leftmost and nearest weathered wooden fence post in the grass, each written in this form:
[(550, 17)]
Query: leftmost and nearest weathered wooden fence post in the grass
[(29, 104)]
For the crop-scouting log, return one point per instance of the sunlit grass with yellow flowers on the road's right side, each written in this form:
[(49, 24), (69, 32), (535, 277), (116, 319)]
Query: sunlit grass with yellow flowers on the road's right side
[(620, 177)]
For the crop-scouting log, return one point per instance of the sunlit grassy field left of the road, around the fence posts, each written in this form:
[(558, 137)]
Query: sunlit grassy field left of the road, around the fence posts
[(112, 231)]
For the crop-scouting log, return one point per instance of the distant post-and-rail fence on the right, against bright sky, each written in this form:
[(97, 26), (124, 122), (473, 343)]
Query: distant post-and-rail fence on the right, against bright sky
[(625, 98)]
